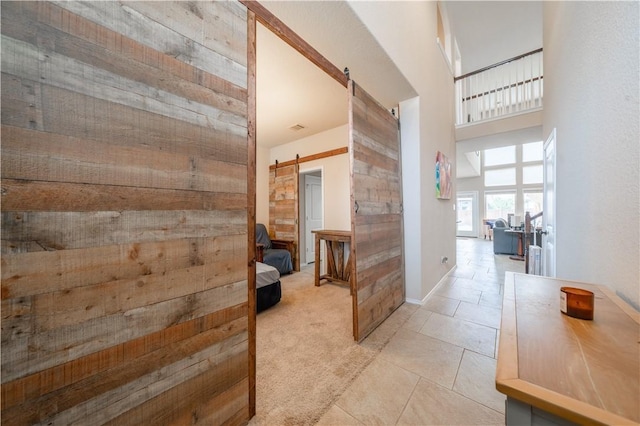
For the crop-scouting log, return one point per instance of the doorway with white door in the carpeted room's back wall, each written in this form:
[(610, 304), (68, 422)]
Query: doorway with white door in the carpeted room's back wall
[(311, 213)]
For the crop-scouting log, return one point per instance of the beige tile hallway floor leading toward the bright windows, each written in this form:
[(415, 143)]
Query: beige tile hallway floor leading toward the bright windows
[(439, 368)]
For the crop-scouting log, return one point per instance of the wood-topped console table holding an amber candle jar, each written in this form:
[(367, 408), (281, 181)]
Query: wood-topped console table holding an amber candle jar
[(556, 368)]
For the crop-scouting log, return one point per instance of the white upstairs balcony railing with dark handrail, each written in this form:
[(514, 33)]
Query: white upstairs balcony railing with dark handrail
[(508, 87)]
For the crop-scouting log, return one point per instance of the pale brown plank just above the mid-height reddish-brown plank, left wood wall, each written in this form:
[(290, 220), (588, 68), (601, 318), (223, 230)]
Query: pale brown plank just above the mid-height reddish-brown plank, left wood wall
[(32, 155)]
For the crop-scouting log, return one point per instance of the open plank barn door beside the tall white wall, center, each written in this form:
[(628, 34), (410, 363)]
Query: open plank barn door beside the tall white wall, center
[(376, 192)]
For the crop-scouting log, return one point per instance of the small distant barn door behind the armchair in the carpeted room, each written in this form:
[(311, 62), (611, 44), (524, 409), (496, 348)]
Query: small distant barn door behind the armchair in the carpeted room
[(283, 206)]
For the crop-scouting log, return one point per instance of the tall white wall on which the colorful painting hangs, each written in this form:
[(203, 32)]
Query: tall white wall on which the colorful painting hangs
[(428, 127)]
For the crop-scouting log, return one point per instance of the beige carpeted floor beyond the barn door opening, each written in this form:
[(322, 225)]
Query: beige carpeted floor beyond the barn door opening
[(306, 355)]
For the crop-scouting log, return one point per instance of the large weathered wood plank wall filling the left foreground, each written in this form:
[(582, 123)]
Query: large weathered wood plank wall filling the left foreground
[(124, 213)]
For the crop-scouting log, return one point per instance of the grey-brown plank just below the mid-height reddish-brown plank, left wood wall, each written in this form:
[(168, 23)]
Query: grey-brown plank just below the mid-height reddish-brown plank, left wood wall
[(92, 229)]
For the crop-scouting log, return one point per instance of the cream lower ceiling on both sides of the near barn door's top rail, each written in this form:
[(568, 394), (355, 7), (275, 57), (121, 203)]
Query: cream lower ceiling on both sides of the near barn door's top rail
[(291, 90)]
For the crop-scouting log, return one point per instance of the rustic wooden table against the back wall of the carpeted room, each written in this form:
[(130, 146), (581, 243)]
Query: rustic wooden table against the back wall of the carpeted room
[(338, 268)]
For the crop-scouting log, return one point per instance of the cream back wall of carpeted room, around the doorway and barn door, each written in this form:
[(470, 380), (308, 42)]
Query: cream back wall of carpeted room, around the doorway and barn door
[(335, 174)]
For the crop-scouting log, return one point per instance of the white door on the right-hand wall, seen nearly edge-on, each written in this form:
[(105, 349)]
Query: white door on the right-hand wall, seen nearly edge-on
[(549, 207)]
